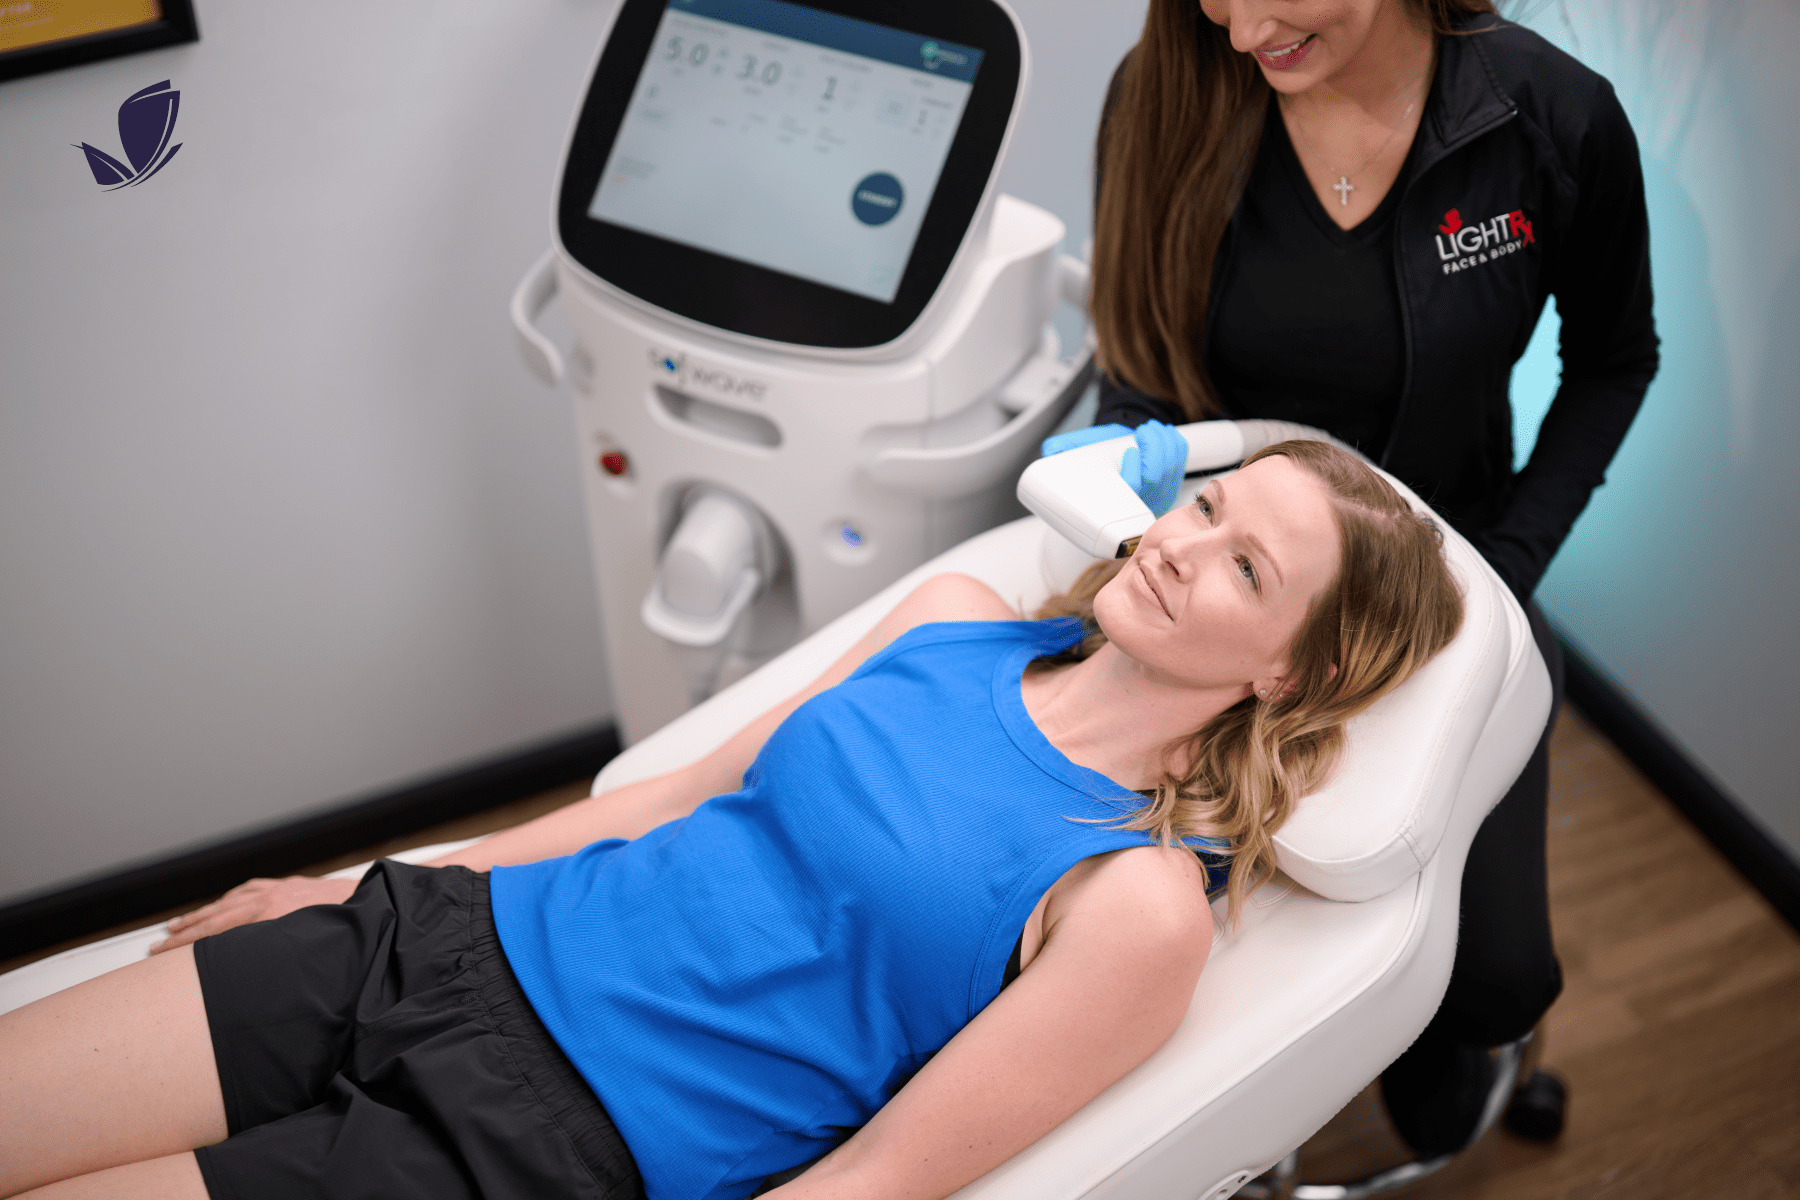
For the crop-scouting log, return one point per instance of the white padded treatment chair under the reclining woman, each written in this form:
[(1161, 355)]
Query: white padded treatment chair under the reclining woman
[(1336, 965)]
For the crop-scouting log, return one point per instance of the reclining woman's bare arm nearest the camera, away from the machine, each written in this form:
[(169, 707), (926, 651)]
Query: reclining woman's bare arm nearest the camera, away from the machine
[(1124, 951)]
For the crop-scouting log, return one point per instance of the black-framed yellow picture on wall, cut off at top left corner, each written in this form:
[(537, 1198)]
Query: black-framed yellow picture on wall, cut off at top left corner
[(49, 35)]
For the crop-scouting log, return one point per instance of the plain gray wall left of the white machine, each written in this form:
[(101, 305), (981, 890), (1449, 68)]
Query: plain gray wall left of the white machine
[(282, 519)]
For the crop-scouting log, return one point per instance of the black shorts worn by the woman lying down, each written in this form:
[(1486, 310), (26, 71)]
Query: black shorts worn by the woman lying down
[(382, 1048)]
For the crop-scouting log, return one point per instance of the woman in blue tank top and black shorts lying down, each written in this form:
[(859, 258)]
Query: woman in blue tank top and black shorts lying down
[(926, 908)]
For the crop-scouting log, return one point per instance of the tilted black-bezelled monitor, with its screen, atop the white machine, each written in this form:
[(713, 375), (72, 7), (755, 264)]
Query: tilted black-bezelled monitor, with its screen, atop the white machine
[(796, 174)]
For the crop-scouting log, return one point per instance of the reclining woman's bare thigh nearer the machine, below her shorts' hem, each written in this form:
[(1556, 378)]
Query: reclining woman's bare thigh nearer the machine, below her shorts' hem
[(112, 1071)]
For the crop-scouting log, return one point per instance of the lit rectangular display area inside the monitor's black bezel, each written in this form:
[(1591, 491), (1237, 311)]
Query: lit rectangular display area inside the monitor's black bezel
[(787, 138)]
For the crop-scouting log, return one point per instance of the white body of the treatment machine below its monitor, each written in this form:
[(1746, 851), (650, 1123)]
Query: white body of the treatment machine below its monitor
[(856, 467)]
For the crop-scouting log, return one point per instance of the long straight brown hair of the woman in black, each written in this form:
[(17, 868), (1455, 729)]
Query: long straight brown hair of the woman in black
[(1178, 139)]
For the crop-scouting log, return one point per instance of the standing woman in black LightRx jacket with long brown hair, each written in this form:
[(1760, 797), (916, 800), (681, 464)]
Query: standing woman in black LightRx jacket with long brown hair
[(1349, 215)]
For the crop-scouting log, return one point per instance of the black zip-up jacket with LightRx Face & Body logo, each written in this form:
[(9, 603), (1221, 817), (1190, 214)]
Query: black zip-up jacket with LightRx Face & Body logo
[(1524, 184)]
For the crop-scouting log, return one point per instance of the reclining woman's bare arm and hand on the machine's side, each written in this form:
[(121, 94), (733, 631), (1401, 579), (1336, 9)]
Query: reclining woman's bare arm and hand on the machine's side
[(625, 812)]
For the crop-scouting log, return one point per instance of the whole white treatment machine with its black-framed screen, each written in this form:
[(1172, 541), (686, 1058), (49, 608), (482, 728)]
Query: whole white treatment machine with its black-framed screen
[(813, 339)]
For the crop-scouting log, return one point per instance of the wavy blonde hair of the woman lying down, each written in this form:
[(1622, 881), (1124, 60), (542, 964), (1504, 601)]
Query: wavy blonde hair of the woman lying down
[(1390, 609)]
